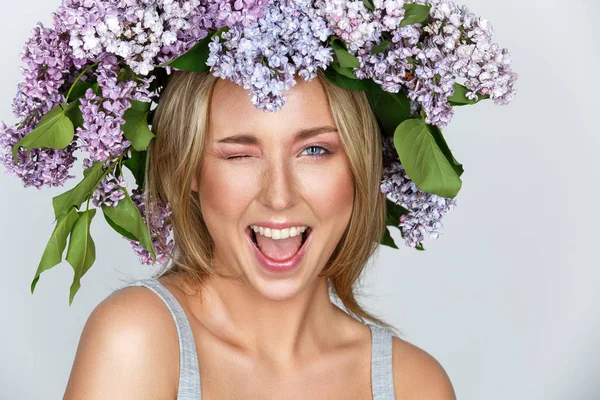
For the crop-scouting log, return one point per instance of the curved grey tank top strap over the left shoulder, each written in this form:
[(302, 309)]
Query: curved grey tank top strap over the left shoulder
[(189, 374)]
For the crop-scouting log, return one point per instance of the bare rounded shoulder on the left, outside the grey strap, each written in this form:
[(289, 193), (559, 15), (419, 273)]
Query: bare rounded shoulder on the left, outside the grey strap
[(128, 350)]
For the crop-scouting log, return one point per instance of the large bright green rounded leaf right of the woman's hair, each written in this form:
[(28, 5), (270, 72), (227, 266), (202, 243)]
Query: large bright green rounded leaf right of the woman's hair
[(424, 162)]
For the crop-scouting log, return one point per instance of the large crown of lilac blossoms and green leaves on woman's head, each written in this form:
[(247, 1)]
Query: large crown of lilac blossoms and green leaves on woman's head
[(91, 80)]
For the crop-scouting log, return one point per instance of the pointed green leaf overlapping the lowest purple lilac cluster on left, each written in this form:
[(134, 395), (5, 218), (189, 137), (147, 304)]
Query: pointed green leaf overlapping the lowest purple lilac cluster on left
[(128, 218)]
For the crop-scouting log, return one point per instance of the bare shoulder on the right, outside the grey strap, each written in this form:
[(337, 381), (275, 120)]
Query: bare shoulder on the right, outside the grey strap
[(418, 375)]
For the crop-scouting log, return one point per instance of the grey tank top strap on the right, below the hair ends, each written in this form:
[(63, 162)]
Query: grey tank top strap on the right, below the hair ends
[(382, 378)]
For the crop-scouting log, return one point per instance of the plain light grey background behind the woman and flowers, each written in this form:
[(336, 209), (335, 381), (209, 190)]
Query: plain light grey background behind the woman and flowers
[(506, 300)]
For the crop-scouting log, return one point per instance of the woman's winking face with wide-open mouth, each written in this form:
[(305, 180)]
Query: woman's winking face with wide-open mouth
[(282, 178)]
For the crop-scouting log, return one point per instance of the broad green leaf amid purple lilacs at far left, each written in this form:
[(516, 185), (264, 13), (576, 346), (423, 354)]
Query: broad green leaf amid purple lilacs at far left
[(54, 131)]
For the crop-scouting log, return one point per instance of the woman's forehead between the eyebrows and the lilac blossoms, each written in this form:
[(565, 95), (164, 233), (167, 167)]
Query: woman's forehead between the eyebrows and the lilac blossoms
[(232, 111)]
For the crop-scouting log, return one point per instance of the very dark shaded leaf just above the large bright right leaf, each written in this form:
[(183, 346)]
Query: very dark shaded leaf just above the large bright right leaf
[(391, 109)]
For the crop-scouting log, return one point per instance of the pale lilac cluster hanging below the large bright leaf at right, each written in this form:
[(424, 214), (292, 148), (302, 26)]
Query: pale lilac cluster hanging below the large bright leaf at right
[(425, 210)]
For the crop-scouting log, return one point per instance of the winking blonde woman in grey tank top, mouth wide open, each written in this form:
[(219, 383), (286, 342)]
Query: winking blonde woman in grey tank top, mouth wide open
[(257, 330)]
